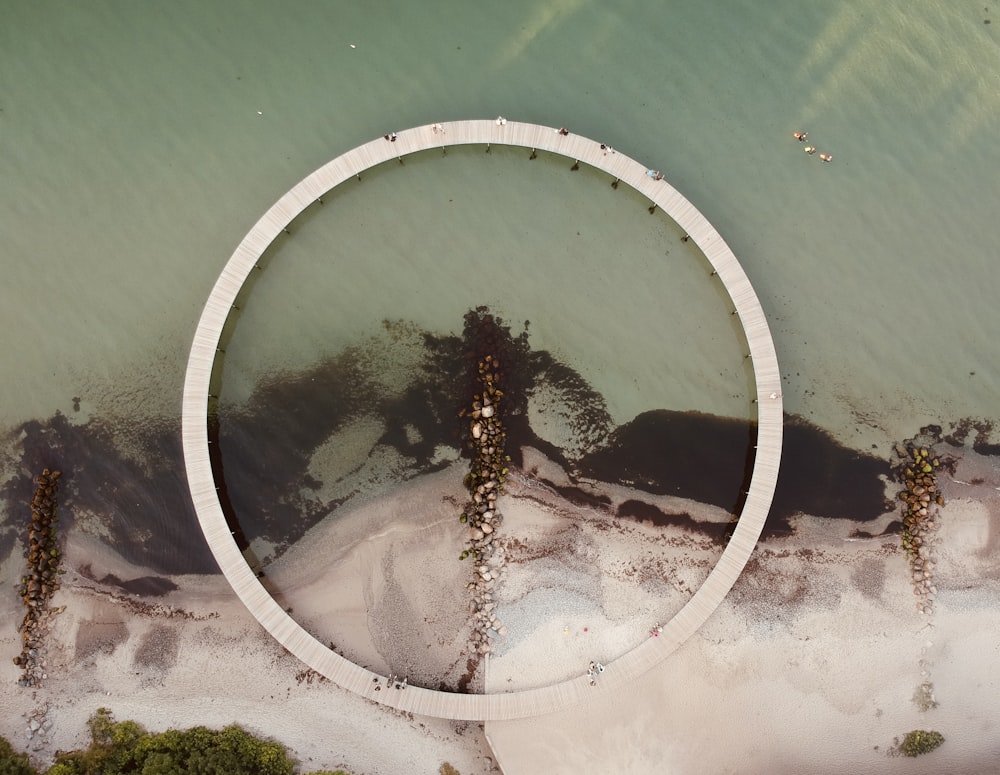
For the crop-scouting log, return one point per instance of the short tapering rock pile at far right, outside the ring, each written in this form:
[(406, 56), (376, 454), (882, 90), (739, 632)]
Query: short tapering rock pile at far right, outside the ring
[(921, 499)]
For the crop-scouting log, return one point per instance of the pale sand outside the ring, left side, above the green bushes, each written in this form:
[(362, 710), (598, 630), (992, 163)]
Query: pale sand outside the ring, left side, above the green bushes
[(206, 661)]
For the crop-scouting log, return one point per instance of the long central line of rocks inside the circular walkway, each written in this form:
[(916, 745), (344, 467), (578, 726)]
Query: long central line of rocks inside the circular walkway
[(487, 473)]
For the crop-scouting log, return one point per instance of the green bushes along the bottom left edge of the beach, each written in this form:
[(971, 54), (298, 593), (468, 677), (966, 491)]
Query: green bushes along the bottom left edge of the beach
[(125, 747)]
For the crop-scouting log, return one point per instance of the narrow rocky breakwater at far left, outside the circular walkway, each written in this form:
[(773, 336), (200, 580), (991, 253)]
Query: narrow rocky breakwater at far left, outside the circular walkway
[(41, 580)]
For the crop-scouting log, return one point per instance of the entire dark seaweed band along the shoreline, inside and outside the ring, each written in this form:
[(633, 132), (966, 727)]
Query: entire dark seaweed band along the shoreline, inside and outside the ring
[(132, 474)]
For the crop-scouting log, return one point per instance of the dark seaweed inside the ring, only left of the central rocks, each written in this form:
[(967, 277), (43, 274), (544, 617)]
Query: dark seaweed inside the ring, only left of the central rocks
[(264, 447)]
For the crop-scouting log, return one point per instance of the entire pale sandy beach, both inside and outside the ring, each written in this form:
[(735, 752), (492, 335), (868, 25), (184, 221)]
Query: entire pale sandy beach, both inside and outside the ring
[(812, 661)]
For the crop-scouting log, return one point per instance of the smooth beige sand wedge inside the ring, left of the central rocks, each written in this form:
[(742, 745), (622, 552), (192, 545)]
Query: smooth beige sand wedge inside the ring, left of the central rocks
[(382, 581)]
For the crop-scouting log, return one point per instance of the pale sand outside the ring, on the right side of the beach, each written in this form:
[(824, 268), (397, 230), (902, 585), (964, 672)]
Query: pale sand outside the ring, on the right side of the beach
[(810, 665)]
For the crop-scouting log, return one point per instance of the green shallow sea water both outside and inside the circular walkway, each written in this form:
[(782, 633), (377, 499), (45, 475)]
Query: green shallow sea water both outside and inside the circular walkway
[(145, 141)]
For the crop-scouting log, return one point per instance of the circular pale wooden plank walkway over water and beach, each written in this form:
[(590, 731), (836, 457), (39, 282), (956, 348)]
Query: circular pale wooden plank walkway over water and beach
[(199, 374)]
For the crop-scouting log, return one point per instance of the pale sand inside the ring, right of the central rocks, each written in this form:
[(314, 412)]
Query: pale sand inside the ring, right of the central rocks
[(584, 586)]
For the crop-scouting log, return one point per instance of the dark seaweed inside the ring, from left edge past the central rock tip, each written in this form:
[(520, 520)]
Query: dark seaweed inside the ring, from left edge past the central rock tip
[(264, 447)]
